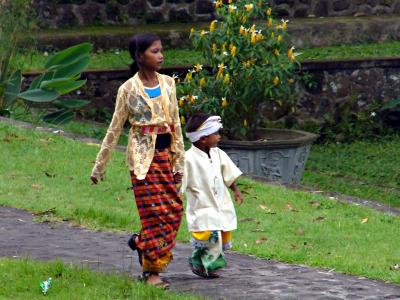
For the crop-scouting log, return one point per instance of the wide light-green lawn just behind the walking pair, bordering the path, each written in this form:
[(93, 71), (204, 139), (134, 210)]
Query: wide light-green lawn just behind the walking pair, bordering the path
[(41, 171)]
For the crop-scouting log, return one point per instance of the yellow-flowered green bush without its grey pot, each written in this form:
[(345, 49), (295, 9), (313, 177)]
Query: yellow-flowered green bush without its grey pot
[(250, 64)]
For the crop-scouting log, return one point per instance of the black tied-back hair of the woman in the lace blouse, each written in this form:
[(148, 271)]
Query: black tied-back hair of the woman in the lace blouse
[(139, 43)]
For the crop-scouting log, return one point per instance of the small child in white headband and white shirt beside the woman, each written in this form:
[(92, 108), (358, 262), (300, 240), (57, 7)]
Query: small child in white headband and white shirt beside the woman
[(210, 211)]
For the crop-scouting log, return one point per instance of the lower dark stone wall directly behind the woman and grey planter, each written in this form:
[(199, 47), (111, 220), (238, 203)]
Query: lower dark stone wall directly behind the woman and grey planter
[(335, 84)]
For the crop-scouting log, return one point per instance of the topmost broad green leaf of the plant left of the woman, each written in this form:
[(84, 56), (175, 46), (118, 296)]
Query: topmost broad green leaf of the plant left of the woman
[(69, 55)]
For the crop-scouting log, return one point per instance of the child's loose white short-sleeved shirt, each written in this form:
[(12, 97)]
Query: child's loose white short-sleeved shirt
[(209, 204)]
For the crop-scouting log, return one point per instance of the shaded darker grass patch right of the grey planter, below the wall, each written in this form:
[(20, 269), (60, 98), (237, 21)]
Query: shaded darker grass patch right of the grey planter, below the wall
[(364, 169)]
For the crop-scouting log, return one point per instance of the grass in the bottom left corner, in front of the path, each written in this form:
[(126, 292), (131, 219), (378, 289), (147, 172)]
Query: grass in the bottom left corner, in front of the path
[(20, 279)]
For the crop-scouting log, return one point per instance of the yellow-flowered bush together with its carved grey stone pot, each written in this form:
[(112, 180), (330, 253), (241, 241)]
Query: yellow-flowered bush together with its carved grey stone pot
[(250, 65)]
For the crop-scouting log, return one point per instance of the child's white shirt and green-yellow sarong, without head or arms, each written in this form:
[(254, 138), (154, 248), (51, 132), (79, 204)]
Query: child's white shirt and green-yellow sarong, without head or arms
[(210, 212)]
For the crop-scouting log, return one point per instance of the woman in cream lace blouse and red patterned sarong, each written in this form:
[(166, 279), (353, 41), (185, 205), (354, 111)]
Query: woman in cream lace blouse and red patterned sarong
[(155, 154)]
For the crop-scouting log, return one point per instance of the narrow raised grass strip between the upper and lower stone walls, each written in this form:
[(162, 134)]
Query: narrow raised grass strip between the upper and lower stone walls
[(112, 59)]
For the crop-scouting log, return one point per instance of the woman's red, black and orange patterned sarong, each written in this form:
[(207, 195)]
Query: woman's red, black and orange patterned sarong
[(160, 210)]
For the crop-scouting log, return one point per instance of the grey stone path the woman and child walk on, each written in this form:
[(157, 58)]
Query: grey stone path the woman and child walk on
[(246, 277)]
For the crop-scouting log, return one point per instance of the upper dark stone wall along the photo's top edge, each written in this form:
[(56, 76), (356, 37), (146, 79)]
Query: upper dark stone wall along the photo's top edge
[(66, 13)]
